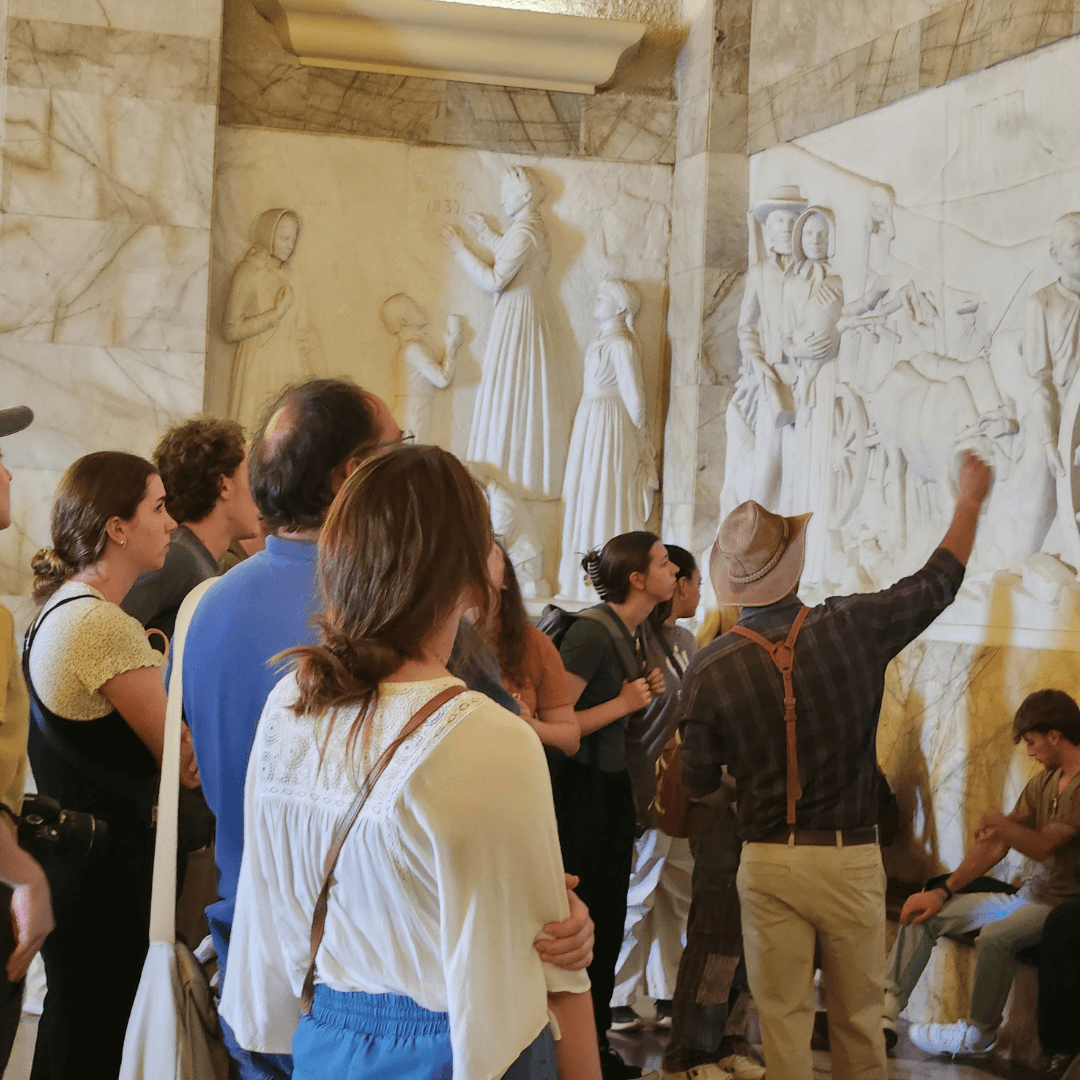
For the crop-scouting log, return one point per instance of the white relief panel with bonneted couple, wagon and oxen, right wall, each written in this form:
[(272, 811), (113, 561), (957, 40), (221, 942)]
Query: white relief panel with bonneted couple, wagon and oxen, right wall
[(954, 334)]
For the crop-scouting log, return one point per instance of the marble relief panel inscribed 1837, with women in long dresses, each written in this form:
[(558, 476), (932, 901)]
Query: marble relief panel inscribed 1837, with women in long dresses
[(530, 323)]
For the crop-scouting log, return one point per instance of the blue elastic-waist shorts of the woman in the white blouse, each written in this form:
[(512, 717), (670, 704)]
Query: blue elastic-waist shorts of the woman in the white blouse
[(386, 1037)]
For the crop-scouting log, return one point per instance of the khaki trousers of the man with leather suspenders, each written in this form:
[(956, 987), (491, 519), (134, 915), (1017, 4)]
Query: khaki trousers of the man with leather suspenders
[(790, 896)]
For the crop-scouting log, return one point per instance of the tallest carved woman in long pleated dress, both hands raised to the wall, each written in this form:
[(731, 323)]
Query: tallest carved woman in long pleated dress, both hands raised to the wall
[(515, 416)]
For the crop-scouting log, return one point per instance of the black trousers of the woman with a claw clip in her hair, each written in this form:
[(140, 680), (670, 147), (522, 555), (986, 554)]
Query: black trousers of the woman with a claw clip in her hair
[(597, 827)]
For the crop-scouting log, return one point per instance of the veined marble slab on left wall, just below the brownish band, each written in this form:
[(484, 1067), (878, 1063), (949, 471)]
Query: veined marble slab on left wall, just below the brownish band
[(107, 158)]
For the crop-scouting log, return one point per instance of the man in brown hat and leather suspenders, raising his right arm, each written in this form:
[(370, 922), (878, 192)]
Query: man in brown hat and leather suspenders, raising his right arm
[(789, 703)]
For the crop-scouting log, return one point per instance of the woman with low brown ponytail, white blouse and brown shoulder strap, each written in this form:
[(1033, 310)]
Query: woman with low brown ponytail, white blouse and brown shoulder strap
[(451, 872)]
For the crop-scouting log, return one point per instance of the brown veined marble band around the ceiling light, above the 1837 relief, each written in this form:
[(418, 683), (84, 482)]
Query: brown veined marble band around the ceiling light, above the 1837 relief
[(632, 121)]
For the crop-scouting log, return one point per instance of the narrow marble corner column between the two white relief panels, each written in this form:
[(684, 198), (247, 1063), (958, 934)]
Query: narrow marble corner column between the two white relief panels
[(708, 263)]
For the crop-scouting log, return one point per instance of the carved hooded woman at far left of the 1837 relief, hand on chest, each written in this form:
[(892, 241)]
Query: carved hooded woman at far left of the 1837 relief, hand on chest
[(267, 319)]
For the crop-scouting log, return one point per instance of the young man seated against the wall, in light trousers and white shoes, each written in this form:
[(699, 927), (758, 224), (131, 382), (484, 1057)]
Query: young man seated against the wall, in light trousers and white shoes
[(1044, 826)]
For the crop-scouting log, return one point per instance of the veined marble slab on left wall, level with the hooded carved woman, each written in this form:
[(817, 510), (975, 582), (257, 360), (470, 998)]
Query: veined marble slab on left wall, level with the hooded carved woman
[(103, 283)]
